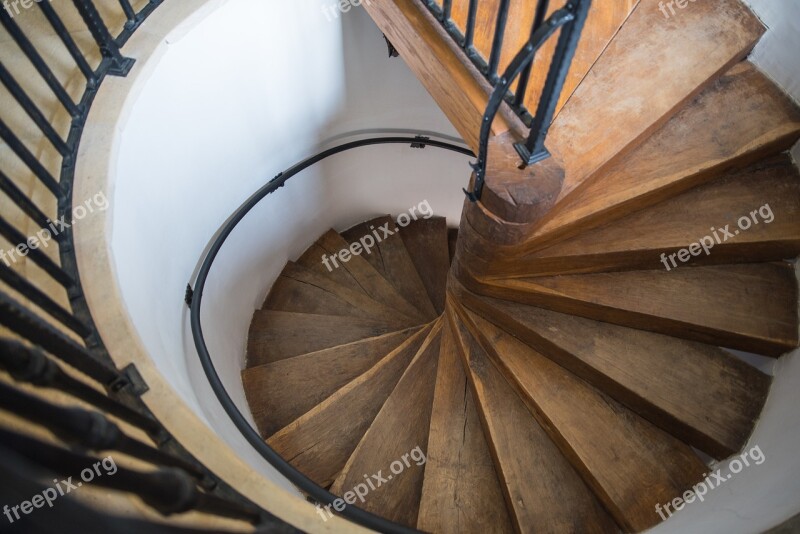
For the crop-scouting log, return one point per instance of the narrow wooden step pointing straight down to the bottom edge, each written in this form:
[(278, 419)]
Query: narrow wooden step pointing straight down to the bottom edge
[(461, 493)]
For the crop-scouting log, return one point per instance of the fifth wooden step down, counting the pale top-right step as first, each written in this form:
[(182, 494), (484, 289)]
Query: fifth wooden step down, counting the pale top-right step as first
[(698, 393)]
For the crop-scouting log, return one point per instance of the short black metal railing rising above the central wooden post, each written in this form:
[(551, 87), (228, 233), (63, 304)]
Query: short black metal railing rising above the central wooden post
[(570, 19)]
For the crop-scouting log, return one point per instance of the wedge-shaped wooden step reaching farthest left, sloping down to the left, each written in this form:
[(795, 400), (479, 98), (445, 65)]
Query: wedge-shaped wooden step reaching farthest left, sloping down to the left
[(280, 392)]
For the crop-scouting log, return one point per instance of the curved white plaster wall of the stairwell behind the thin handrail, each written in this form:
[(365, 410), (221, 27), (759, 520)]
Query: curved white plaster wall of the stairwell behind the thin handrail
[(246, 92)]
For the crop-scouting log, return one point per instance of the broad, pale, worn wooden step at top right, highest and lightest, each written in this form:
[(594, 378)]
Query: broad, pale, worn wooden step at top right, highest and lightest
[(650, 70)]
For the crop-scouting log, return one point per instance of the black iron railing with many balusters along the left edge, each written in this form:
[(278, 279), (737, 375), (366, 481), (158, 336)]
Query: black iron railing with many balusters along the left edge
[(51, 346)]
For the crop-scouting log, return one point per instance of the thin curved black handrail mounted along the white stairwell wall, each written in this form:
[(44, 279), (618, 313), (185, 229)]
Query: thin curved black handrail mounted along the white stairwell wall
[(195, 296)]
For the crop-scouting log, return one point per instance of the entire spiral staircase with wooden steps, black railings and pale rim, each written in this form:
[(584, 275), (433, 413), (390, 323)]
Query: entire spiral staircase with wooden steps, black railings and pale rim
[(569, 359)]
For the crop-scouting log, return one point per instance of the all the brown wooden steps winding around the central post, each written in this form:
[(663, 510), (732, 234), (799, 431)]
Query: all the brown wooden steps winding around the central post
[(559, 374)]
